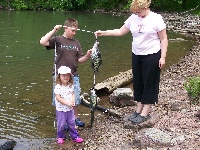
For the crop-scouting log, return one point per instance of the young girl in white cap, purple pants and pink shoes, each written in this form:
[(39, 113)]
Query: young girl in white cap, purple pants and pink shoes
[(65, 100)]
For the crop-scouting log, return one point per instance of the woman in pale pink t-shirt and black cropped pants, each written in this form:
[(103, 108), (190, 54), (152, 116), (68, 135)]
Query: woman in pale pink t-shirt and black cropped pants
[(149, 48)]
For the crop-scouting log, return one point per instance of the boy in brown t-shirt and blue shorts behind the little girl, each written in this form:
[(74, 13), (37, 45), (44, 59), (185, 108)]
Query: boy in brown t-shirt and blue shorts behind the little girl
[(69, 53)]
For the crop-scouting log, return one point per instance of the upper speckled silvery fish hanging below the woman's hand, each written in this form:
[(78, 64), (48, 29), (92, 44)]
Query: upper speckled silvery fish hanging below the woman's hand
[(96, 57)]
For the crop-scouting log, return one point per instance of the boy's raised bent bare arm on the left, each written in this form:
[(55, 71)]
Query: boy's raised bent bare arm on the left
[(45, 39)]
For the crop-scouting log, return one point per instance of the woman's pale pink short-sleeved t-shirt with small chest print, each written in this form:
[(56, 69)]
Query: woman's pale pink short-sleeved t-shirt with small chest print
[(145, 33)]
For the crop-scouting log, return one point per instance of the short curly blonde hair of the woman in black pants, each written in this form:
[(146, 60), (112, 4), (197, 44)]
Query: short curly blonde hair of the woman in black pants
[(139, 4)]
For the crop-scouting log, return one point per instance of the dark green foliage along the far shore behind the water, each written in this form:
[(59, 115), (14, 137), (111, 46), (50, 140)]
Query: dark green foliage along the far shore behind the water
[(108, 5)]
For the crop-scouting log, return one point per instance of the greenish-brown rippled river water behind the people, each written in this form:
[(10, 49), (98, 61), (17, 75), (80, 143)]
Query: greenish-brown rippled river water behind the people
[(25, 69)]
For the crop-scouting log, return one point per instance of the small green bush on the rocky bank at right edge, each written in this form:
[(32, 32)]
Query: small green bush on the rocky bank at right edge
[(192, 86)]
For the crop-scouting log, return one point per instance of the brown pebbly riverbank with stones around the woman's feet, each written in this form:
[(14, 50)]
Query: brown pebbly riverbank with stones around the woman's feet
[(175, 123)]
